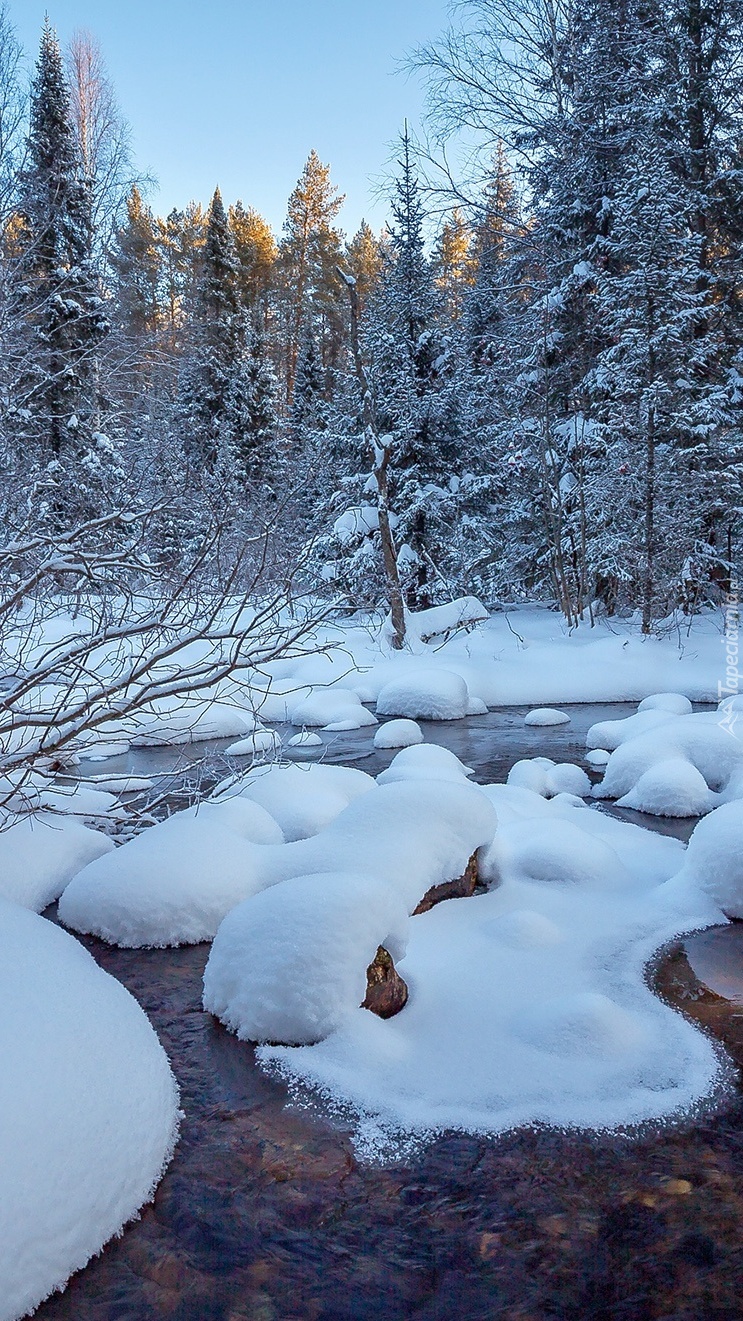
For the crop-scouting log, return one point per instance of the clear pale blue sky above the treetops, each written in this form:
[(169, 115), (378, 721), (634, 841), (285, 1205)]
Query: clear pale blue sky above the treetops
[(239, 93)]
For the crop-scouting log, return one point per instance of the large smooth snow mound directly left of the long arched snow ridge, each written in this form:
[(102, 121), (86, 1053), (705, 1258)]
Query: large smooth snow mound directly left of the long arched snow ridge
[(170, 886)]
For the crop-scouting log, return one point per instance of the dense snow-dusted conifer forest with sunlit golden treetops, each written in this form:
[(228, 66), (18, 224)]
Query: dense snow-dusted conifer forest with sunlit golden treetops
[(549, 344)]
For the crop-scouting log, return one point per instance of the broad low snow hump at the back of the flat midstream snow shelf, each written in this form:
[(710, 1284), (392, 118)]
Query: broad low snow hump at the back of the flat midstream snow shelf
[(552, 851)]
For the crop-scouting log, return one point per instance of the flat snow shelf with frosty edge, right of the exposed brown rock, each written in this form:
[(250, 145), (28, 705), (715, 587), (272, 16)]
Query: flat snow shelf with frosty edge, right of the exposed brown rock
[(528, 1005)]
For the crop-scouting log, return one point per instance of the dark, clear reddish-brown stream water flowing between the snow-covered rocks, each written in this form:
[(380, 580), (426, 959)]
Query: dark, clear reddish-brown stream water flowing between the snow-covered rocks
[(266, 1215)]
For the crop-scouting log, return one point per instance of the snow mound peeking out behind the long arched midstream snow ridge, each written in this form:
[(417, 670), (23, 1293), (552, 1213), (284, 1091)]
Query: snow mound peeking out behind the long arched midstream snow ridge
[(306, 799)]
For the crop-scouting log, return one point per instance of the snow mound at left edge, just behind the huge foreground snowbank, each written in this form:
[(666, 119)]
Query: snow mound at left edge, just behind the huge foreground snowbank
[(40, 855)]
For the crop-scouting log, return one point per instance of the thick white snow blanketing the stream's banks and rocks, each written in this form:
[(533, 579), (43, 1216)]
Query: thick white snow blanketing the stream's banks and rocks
[(528, 1002)]
